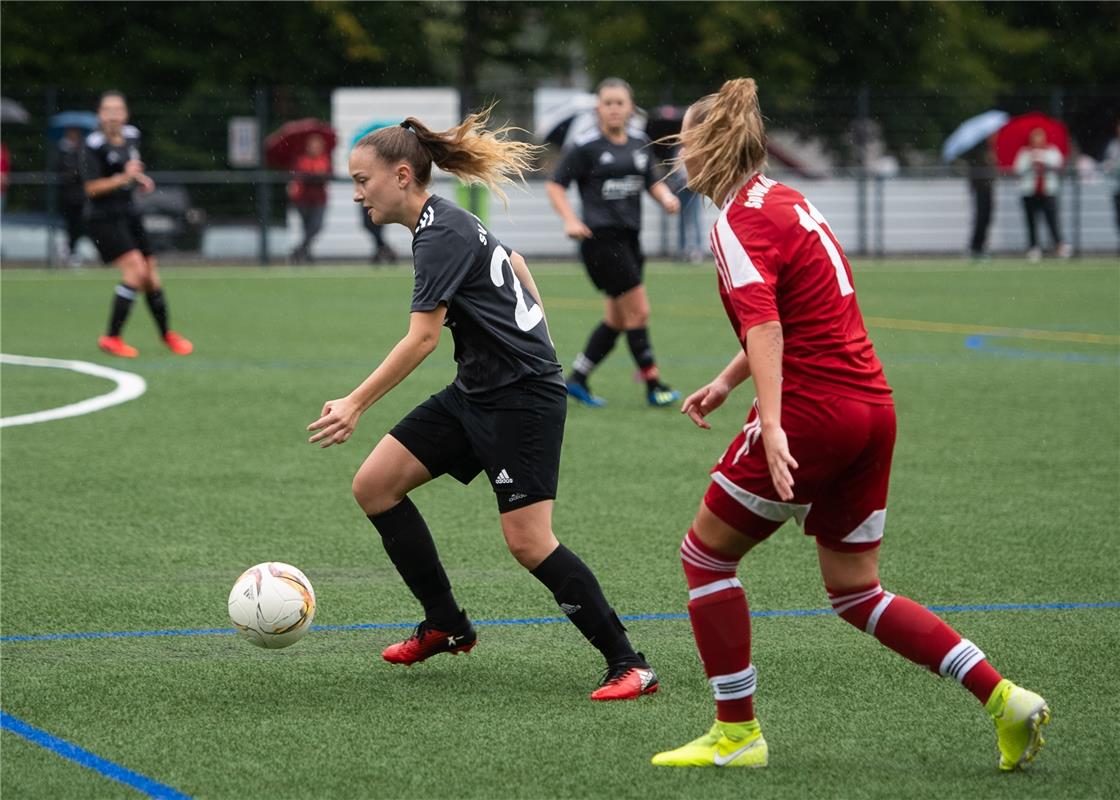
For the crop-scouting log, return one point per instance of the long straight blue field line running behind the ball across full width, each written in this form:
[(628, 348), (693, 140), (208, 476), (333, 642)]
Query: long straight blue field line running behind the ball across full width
[(543, 621)]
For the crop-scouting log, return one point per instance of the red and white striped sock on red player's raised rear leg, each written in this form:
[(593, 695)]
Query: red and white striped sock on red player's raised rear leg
[(917, 634)]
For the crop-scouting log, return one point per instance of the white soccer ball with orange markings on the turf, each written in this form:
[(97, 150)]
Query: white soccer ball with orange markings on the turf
[(273, 606)]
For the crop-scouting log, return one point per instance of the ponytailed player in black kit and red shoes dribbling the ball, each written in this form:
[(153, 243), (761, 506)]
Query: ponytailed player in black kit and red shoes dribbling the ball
[(503, 415)]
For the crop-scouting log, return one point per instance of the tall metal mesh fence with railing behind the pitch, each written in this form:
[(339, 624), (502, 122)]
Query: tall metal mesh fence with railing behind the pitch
[(882, 185)]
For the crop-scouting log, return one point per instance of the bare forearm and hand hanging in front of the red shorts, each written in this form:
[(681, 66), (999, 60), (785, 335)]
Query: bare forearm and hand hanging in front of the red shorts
[(764, 352)]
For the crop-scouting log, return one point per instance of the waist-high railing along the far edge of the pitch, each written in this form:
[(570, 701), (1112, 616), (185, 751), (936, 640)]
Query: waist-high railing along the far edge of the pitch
[(242, 217)]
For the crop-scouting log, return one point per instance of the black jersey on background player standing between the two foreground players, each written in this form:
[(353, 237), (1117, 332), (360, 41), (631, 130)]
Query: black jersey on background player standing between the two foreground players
[(611, 179)]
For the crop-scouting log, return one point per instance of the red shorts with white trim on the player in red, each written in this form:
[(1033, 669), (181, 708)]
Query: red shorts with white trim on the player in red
[(844, 449)]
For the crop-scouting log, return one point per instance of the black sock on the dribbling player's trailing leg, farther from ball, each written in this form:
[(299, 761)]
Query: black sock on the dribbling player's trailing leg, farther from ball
[(577, 592)]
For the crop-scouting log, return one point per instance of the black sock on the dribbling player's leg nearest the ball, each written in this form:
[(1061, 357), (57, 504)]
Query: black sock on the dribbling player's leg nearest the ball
[(412, 550)]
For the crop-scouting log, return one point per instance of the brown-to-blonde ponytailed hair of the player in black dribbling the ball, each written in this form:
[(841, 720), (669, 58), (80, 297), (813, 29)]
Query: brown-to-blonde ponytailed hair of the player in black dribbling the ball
[(469, 152)]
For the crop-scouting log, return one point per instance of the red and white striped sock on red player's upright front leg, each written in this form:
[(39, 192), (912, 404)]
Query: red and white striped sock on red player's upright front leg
[(722, 627)]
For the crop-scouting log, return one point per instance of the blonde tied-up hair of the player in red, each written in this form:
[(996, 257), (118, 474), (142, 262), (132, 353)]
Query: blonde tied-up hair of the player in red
[(727, 136)]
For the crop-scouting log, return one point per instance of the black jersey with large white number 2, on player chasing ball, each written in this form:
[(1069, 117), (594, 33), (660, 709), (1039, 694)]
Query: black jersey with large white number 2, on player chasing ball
[(498, 327)]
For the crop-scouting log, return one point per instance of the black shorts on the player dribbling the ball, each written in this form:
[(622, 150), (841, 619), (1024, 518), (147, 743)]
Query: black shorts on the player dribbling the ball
[(514, 434)]
